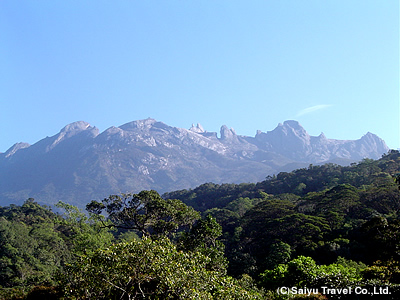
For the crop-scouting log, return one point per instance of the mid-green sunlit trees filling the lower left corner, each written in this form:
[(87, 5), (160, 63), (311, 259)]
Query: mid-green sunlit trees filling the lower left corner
[(36, 244)]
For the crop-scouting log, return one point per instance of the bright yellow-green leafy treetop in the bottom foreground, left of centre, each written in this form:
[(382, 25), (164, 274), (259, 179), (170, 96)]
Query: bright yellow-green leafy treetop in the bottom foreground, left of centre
[(152, 269)]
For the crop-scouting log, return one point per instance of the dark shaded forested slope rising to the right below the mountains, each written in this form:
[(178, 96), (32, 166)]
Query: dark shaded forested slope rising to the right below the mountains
[(317, 211)]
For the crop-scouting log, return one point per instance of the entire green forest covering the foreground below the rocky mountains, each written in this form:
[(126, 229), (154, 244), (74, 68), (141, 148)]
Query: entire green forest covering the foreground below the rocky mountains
[(322, 232)]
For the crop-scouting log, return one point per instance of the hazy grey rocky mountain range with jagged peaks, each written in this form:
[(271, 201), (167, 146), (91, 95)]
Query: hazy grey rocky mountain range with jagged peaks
[(80, 164)]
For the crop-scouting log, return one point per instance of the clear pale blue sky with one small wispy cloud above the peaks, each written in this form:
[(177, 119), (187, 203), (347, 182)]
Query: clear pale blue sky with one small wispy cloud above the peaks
[(332, 65)]
